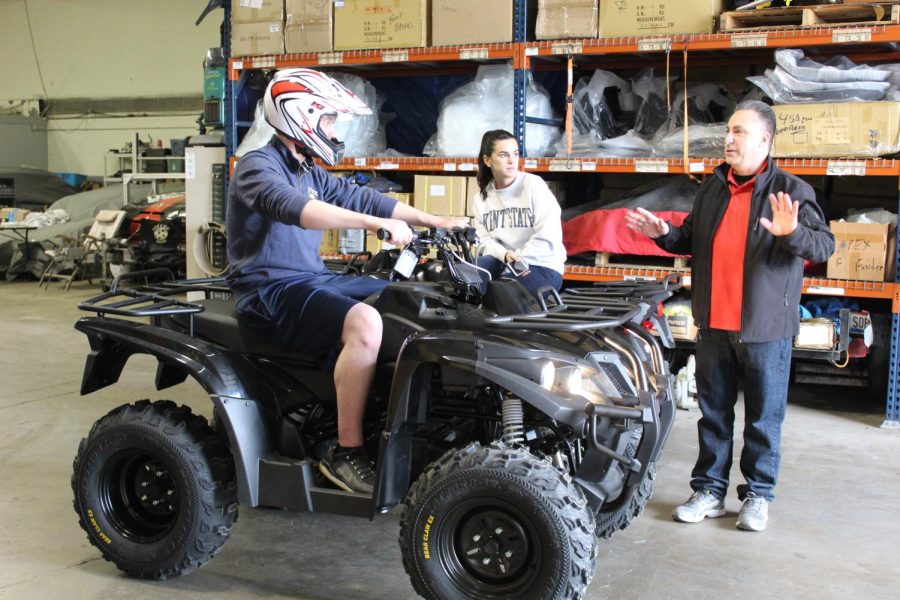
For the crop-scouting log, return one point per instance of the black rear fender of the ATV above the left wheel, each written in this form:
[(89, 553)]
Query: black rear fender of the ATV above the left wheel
[(224, 375)]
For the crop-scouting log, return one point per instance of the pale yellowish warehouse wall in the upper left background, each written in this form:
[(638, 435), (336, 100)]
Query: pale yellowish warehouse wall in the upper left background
[(105, 68)]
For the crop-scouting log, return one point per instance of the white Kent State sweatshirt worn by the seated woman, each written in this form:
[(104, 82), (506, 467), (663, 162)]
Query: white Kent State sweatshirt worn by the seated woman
[(524, 218)]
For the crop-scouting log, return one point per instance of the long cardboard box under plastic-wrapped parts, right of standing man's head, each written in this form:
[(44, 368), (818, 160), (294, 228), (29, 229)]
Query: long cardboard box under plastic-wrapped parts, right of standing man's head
[(837, 130)]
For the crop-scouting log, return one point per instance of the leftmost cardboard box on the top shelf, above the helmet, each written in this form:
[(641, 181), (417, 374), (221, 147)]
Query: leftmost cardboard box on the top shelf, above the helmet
[(257, 27)]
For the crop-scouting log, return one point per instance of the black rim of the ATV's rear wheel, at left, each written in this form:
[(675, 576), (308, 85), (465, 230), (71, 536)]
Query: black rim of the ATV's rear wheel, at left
[(139, 496)]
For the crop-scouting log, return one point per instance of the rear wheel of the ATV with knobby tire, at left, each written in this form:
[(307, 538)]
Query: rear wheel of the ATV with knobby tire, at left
[(155, 489)]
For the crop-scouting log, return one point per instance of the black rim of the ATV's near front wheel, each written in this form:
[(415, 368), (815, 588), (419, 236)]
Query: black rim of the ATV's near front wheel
[(487, 547)]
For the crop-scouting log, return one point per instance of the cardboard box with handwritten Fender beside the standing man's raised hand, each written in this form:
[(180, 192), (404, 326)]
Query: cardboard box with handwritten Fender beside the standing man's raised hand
[(863, 251)]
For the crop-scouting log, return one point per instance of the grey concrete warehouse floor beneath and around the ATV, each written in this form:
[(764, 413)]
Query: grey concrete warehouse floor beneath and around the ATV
[(833, 531)]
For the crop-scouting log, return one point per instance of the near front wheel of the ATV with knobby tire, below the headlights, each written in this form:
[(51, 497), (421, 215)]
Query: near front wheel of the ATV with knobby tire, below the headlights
[(497, 522)]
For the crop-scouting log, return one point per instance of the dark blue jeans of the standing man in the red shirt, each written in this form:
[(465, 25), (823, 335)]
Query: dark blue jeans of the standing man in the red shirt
[(766, 368)]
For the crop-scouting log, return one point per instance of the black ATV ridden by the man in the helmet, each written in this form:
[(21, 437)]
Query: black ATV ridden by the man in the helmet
[(515, 432)]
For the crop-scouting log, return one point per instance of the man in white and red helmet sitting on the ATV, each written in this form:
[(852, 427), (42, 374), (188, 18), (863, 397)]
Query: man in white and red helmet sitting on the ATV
[(278, 202)]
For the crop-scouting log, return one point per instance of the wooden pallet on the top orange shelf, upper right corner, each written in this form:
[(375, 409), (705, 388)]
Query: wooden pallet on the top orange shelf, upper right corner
[(825, 15)]
